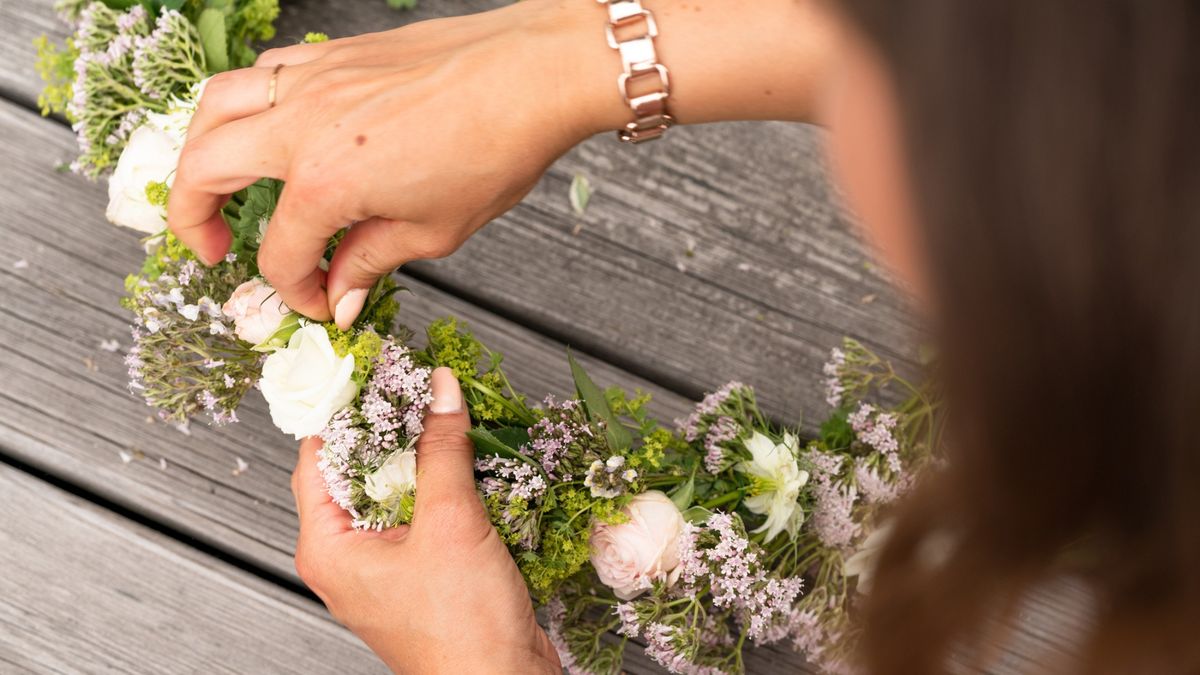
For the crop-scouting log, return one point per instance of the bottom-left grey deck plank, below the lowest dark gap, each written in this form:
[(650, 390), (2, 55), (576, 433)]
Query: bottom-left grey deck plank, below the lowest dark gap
[(86, 590)]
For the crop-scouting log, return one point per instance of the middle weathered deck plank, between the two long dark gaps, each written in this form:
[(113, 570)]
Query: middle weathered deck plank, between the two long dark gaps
[(63, 402)]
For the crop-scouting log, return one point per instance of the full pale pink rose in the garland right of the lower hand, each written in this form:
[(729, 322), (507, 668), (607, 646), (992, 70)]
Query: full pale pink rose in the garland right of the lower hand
[(631, 557)]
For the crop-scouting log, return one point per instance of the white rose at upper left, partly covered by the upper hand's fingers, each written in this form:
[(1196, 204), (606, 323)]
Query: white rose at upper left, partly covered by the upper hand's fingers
[(152, 156)]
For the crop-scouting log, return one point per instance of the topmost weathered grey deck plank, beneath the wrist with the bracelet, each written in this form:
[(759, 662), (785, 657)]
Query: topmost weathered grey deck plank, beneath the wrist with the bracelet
[(717, 255)]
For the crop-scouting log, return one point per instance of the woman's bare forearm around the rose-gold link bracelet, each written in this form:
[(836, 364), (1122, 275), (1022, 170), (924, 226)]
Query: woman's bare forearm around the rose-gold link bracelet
[(729, 61)]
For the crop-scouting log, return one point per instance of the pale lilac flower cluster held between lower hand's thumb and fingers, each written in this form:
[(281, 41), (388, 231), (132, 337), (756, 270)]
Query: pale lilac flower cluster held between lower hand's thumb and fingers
[(359, 439)]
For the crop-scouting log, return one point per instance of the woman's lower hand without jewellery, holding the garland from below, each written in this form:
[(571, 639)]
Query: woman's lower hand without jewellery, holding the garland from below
[(439, 596)]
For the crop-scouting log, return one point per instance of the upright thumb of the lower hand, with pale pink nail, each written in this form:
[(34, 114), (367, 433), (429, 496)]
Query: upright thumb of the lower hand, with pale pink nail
[(446, 457)]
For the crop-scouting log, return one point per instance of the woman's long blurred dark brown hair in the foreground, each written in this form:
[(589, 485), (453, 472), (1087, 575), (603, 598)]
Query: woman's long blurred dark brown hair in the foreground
[(1054, 150)]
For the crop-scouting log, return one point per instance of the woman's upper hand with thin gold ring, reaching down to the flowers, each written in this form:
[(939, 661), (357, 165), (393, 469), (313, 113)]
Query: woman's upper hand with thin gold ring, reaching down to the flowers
[(418, 136)]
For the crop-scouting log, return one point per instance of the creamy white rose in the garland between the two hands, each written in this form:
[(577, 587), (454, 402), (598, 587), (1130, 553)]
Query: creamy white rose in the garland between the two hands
[(308, 383)]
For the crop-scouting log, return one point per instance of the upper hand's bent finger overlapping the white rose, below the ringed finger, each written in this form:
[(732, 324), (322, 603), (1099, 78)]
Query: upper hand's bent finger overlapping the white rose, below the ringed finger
[(217, 165)]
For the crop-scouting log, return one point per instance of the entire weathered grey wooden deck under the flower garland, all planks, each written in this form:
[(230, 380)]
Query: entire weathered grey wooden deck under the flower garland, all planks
[(716, 255)]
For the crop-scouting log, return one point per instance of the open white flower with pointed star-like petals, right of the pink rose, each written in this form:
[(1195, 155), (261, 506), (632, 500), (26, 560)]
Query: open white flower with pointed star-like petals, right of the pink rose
[(778, 481)]
